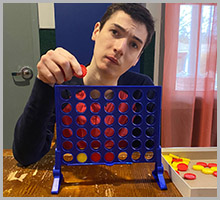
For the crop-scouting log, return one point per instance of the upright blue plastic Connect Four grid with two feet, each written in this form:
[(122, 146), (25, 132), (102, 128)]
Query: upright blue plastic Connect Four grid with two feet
[(107, 125)]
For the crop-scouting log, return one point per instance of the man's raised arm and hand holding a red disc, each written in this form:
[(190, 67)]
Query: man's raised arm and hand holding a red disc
[(35, 127)]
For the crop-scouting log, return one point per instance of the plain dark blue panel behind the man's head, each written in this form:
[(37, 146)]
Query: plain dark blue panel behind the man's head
[(74, 25)]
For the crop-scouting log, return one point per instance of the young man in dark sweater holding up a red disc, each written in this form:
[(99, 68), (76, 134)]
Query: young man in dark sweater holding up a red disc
[(120, 38)]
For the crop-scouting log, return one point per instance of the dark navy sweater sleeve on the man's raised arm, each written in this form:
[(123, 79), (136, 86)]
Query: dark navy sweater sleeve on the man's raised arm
[(35, 127)]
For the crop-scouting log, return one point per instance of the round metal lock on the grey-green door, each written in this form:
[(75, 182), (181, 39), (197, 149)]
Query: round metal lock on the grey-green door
[(24, 75)]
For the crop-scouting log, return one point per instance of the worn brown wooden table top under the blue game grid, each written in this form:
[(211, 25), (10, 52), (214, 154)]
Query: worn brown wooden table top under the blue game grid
[(36, 180)]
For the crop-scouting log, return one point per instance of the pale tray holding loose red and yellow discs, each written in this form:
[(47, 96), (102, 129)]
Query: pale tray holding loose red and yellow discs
[(205, 185)]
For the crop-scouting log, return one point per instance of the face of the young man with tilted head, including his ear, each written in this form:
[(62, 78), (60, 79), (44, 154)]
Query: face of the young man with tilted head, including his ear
[(118, 45)]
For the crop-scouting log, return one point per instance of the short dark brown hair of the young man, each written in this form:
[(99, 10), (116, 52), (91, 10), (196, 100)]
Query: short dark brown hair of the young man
[(136, 12)]
